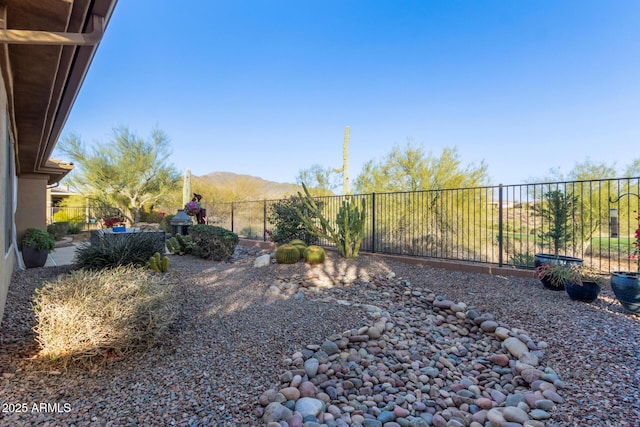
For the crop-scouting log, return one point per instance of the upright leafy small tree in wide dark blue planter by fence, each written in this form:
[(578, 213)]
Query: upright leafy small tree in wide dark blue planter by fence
[(558, 210)]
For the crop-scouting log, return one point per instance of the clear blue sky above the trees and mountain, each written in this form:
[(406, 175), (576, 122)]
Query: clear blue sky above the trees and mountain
[(266, 88)]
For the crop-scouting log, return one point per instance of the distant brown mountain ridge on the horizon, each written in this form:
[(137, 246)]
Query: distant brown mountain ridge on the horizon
[(253, 185)]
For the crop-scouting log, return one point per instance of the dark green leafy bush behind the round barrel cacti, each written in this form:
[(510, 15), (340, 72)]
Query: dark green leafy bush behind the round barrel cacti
[(286, 222)]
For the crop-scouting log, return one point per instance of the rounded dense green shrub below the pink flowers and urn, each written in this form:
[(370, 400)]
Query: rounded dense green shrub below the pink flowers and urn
[(213, 242)]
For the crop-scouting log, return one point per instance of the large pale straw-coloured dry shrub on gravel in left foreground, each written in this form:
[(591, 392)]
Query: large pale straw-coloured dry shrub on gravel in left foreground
[(93, 314)]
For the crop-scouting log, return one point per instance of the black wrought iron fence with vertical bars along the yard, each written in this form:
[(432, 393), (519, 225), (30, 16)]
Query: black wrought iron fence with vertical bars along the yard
[(505, 225)]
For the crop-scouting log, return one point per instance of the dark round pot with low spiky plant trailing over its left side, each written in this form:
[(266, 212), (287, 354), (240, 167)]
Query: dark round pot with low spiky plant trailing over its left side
[(581, 283)]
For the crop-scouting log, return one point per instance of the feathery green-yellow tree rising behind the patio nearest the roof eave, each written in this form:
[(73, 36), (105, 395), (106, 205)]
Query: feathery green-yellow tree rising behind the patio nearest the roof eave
[(128, 172)]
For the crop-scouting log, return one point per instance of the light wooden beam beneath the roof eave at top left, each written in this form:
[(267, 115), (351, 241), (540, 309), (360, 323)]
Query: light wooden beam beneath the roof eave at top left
[(54, 38)]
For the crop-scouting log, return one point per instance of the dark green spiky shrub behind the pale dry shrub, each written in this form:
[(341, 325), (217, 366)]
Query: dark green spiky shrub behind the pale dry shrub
[(109, 250)]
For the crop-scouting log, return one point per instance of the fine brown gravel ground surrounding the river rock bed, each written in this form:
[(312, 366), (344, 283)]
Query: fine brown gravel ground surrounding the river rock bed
[(238, 327)]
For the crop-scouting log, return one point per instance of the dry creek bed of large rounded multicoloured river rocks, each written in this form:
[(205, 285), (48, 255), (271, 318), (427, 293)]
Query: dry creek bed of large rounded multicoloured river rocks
[(422, 360)]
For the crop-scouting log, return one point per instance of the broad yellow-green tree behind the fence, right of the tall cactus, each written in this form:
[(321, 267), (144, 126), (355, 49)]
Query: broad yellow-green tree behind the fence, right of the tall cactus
[(425, 177)]
